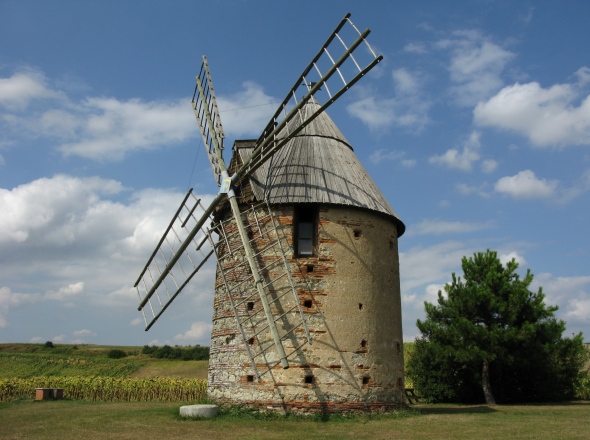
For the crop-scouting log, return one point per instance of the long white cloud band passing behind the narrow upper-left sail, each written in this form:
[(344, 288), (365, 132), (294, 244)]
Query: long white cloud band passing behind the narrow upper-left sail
[(108, 129)]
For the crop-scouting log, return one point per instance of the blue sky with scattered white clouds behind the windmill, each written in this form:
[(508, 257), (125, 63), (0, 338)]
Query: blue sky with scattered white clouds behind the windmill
[(476, 127)]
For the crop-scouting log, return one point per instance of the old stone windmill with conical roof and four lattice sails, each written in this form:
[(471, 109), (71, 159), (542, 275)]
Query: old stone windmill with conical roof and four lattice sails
[(288, 201)]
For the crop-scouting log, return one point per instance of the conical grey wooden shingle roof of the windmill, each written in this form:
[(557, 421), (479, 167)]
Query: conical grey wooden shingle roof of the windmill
[(317, 166)]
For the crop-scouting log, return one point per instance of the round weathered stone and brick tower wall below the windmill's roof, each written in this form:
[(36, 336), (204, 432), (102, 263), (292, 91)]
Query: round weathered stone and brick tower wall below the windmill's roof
[(351, 298)]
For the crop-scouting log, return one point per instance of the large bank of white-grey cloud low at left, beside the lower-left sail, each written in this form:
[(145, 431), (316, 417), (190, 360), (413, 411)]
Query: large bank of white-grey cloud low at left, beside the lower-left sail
[(66, 234)]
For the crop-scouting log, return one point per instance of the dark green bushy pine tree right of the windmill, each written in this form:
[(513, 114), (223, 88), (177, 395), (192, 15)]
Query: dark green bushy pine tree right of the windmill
[(490, 336)]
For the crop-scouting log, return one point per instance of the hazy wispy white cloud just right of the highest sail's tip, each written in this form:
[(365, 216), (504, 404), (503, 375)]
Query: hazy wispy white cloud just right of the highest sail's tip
[(475, 67)]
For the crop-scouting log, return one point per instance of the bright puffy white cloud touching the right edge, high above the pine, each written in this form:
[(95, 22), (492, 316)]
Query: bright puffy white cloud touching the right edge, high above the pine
[(546, 116)]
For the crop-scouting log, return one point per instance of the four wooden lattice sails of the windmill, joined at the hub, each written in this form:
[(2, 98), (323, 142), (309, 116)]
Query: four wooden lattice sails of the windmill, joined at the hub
[(187, 244)]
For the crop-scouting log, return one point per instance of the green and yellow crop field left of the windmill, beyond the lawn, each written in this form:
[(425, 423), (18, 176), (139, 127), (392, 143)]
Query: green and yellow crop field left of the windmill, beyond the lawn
[(86, 372)]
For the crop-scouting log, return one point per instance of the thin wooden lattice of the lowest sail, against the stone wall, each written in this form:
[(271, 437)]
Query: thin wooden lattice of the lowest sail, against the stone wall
[(236, 284)]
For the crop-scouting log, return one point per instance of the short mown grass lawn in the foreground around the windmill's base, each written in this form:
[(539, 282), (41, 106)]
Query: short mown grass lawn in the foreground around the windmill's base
[(74, 419)]
